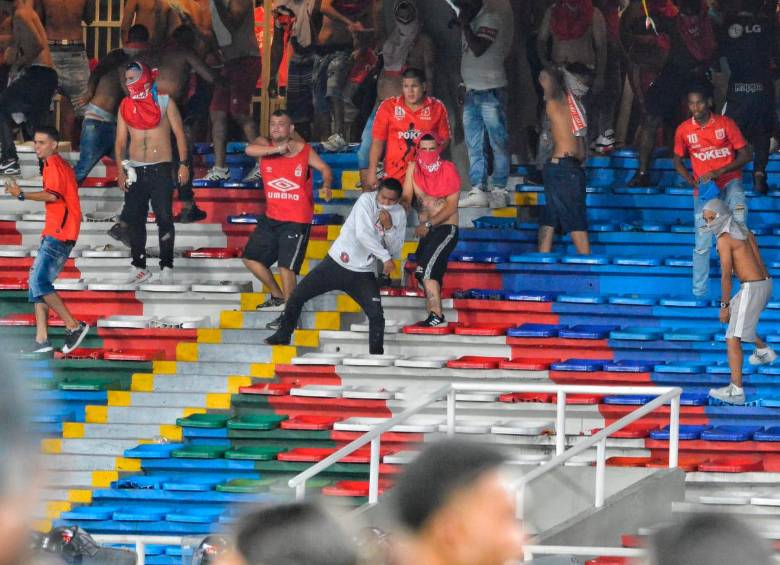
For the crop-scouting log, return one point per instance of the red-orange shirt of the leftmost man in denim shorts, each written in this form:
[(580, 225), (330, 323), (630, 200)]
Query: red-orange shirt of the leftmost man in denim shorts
[(63, 216)]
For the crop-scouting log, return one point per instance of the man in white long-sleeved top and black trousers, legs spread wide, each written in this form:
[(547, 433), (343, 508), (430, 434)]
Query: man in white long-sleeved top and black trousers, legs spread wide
[(374, 231)]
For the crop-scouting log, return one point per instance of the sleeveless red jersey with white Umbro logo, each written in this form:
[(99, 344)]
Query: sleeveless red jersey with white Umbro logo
[(288, 187)]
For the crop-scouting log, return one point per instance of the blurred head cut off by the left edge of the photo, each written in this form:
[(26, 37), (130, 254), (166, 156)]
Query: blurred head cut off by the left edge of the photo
[(19, 479)]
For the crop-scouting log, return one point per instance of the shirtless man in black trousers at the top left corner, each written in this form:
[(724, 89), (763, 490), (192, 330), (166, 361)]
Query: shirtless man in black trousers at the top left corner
[(31, 91)]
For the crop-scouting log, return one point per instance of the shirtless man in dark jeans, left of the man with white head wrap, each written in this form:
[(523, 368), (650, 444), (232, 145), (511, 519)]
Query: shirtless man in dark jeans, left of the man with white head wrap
[(332, 61)]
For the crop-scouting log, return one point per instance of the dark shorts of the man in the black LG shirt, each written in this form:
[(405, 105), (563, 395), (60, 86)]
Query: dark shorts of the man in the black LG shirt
[(752, 106)]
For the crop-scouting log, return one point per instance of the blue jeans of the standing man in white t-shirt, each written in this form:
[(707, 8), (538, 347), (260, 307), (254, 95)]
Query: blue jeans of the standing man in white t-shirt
[(485, 111)]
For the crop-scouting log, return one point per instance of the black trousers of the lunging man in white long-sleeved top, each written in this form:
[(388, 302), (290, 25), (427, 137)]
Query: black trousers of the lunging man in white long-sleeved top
[(329, 276)]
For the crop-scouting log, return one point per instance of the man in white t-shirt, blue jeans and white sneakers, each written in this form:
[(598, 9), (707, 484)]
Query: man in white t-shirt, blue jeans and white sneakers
[(487, 29)]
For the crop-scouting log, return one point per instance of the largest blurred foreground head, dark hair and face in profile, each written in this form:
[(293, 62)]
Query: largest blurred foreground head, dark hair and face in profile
[(457, 505)]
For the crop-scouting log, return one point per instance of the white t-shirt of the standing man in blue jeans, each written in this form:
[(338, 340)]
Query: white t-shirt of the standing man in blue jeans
[(495, 22)]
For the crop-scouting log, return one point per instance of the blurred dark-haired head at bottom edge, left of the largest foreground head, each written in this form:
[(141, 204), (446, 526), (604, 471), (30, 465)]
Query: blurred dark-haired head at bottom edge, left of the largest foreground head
[(291, 534)]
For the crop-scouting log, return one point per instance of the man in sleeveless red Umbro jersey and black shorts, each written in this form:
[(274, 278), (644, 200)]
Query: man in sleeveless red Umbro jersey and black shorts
[(283, 231)]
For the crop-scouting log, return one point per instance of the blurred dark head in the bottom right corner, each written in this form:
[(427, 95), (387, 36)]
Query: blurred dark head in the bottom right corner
[(709, 539)]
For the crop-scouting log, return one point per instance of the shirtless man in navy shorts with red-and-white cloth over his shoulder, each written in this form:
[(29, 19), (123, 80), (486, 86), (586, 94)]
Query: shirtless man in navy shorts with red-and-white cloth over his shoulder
[(564, 177)]
